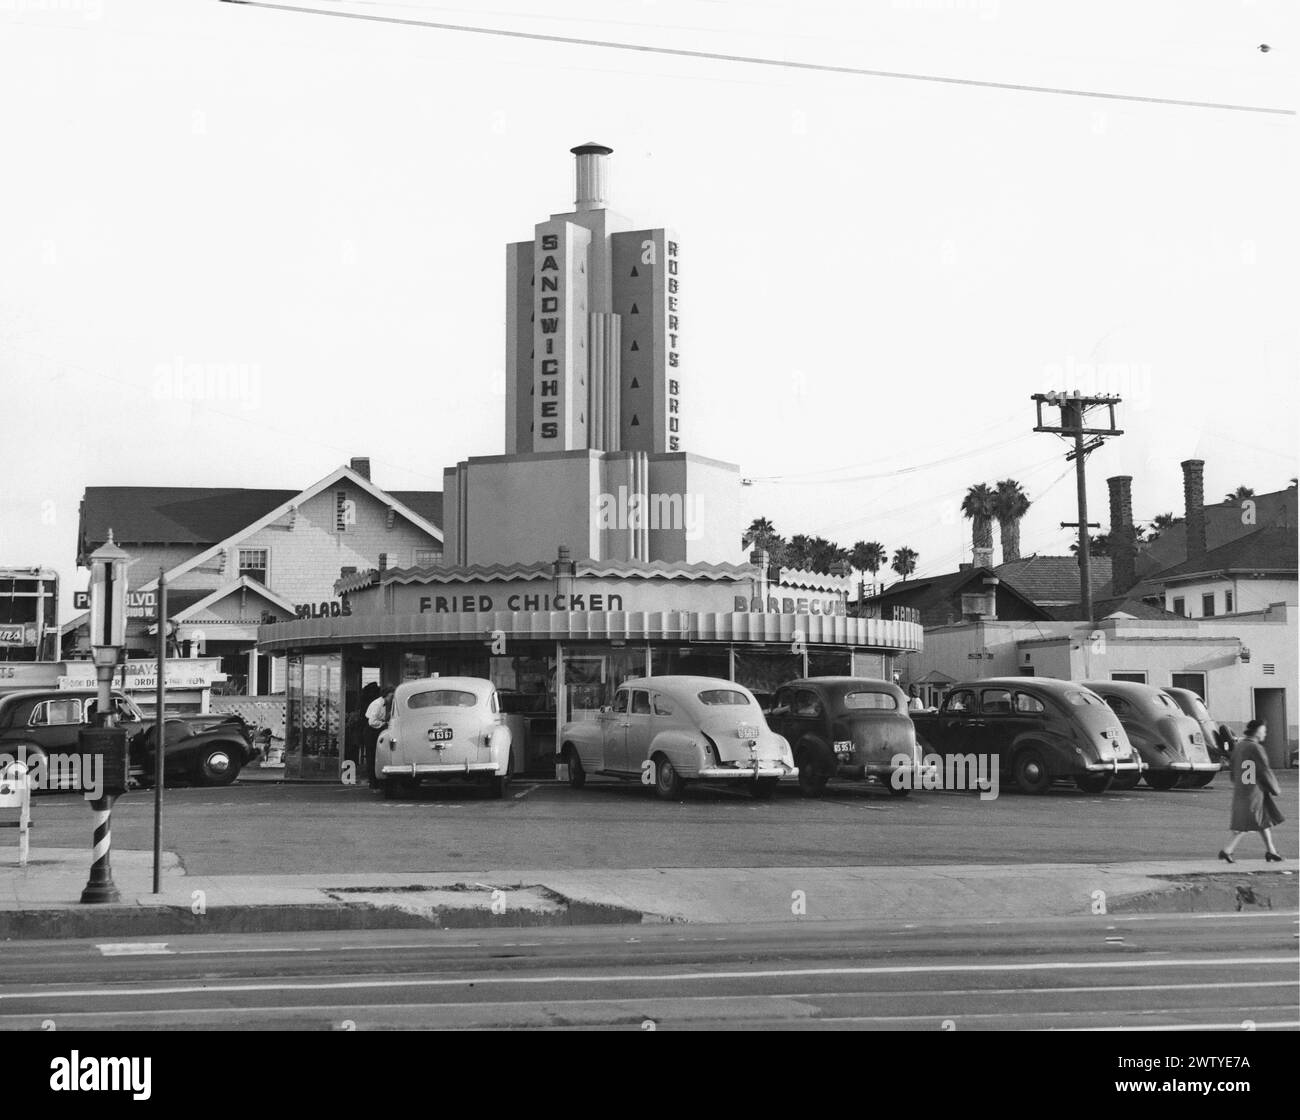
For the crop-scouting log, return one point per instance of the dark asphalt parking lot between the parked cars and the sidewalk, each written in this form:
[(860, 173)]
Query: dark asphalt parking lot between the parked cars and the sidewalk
[(258, 828)]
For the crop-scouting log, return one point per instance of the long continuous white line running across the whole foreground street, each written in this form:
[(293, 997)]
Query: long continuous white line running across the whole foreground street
[(902, 970)]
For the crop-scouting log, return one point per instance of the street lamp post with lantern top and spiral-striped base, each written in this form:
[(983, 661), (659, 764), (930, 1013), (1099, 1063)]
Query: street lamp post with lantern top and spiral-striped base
[(109, 644)]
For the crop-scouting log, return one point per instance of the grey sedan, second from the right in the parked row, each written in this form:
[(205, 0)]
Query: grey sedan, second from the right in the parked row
[(1171, 744)]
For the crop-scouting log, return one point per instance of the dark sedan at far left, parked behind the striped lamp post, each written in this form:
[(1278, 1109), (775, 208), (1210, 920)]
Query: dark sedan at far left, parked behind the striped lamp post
[(206, 749)]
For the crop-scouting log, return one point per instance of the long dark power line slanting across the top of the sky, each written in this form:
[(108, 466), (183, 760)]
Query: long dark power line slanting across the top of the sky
[(752, 60)]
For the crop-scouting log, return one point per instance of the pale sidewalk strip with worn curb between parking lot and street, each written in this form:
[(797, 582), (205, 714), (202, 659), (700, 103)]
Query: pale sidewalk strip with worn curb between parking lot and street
[(42, 900)]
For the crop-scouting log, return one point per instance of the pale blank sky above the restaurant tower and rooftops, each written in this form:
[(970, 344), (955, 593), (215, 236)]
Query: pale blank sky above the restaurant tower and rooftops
[(877, 272)]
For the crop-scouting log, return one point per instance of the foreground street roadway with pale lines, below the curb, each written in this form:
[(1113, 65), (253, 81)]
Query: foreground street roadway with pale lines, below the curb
[(1186, 973)]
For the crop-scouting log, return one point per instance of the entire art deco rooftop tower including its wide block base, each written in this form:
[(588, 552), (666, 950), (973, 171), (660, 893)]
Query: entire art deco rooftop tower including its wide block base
[(595, 459)]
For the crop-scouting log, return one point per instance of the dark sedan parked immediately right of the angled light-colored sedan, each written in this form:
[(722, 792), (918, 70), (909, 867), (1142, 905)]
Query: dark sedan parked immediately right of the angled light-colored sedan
[(850, 728)]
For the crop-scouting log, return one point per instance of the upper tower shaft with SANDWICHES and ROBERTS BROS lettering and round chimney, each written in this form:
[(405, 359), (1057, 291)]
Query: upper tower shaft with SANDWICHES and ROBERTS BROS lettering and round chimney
[(592, 329)]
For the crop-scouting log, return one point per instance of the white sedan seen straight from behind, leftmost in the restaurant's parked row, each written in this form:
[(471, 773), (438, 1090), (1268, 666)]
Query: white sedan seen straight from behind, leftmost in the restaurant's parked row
[(445, 728)]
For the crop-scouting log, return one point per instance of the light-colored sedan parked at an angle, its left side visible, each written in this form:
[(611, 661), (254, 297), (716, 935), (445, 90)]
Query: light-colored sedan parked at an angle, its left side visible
[(670, 731)]
